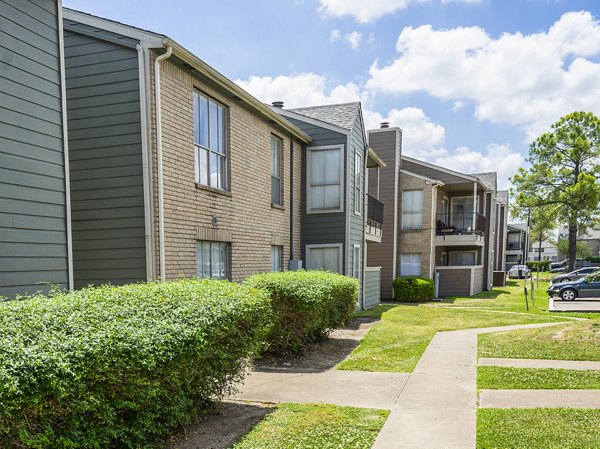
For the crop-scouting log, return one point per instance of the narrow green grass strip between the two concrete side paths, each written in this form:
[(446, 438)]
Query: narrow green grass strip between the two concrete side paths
[(503, 378)]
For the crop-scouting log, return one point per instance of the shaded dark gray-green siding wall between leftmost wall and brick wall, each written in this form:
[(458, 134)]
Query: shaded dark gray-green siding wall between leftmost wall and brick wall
[(107, 197)]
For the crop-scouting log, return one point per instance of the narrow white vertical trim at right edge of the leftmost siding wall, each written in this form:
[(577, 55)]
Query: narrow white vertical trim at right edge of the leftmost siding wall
[(65, 135)]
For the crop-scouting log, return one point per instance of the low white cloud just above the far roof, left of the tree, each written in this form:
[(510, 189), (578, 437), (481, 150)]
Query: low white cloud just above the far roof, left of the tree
[(498, 158)]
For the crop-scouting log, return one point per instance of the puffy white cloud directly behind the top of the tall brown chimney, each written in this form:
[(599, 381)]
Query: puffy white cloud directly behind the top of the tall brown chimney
[(421, 138)]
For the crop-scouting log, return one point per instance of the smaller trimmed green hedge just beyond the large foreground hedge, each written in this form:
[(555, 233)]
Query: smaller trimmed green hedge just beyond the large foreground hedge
[(306, 306)]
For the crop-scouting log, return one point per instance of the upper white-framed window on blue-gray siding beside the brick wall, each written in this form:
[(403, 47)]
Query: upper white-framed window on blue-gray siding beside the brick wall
[(324, 179)]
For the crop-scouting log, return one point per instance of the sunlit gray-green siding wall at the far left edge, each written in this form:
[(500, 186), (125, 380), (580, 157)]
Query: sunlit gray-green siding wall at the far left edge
[(33, 226)]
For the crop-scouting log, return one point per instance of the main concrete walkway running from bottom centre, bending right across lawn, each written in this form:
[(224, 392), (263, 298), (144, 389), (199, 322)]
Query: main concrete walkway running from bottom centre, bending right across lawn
[(438, 407)]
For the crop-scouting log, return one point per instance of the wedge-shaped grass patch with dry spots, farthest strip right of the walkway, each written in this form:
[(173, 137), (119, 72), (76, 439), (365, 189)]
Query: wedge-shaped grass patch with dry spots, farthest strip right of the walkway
[(579, 340)]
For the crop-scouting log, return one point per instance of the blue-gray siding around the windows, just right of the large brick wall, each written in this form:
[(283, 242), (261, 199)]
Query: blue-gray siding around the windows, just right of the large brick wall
[(321, 228)]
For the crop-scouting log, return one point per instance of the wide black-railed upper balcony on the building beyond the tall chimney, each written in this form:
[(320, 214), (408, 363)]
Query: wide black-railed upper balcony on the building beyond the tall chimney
[(459, 229)]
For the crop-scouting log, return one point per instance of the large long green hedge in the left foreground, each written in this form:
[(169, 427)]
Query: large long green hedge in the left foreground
[(122, 366)]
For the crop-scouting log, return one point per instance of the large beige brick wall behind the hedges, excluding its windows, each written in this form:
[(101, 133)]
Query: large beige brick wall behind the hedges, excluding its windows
[(245, 215)]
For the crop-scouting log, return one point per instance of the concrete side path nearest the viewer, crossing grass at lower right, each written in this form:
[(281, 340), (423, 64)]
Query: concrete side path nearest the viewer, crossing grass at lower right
[(539, 398)]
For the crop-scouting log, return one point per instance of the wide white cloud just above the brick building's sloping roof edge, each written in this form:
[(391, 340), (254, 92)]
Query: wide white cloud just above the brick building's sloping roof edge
[(301, 89)]
